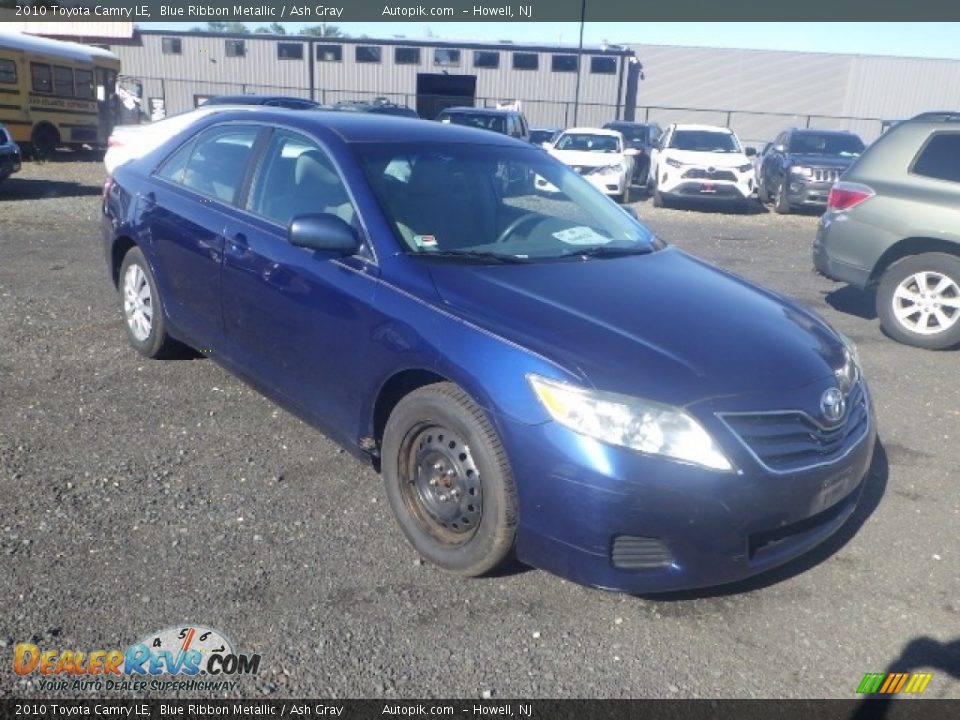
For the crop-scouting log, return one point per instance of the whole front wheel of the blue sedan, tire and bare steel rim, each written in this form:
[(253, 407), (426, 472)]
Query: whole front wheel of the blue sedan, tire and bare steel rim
[(438, 444)]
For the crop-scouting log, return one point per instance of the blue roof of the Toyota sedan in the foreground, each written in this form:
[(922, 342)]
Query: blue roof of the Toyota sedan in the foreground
[(357, 127)]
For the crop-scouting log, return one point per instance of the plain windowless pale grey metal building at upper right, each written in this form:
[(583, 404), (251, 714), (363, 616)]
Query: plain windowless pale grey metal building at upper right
[(761, 92)]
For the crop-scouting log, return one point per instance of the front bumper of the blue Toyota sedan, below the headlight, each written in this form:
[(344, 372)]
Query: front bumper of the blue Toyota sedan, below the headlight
[(615, 519)]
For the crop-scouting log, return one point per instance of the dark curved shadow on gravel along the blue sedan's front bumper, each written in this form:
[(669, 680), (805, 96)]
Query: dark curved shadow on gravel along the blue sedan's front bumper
[(874, 489)]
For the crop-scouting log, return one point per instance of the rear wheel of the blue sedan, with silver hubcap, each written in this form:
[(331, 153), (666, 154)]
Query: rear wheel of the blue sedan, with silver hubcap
[(143, 315)]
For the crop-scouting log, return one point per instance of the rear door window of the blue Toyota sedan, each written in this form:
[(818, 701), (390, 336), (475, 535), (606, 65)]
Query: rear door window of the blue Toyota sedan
[(216, 167)]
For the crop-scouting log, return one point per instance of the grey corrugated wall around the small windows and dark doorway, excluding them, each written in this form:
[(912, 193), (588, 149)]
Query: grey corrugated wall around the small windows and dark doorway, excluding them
[(203, 68)]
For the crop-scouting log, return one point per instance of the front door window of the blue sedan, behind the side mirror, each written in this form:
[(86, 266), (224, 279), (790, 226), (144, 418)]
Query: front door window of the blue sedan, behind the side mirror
[(296, 178)]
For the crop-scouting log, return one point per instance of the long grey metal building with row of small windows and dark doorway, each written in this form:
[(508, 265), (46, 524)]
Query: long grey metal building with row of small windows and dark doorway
[(178, 70)]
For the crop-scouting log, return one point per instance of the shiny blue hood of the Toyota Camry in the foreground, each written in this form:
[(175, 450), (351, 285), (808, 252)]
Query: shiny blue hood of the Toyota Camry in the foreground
[(663, 326)]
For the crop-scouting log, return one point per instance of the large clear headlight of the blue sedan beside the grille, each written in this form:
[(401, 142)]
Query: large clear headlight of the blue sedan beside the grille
[(630, 422)]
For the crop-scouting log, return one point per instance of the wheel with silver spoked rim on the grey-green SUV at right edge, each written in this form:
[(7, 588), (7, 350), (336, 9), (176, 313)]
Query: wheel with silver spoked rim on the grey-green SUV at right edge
[(931, 322)]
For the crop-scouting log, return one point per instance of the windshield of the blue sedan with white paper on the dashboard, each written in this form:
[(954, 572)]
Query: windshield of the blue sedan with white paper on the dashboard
[(491, 203)]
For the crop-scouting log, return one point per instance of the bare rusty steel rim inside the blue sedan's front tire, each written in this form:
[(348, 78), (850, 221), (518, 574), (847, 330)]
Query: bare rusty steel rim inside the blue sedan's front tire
[(440, 484)]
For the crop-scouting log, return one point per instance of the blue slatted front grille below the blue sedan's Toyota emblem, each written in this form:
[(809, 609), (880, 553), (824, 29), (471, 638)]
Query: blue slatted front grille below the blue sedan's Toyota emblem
[(787, 441)]
